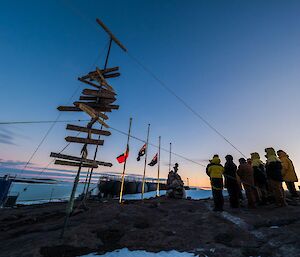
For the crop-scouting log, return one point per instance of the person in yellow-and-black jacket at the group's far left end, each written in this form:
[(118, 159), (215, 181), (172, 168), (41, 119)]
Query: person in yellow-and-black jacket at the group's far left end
[(215, 171)]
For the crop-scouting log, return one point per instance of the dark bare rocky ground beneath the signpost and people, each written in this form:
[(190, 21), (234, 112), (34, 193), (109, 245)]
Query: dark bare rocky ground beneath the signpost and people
[(153, 225)]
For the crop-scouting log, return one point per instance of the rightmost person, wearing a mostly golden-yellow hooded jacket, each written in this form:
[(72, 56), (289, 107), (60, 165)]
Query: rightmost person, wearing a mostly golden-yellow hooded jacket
[(288, 172)]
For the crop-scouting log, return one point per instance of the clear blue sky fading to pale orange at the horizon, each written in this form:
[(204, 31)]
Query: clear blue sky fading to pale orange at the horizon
[(236, 63)]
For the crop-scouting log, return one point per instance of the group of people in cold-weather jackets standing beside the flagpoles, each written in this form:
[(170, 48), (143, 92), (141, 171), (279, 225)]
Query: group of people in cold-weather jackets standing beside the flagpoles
[(262, 182)]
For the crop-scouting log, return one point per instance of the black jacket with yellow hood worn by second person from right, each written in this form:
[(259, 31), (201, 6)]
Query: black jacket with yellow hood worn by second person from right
[(273, 165)]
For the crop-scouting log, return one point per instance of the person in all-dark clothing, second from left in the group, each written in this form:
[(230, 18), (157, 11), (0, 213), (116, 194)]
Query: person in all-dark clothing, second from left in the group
[(231, 182)]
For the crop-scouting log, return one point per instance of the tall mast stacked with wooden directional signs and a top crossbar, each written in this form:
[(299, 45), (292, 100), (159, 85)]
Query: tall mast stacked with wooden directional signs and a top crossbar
[(95, 103)]
